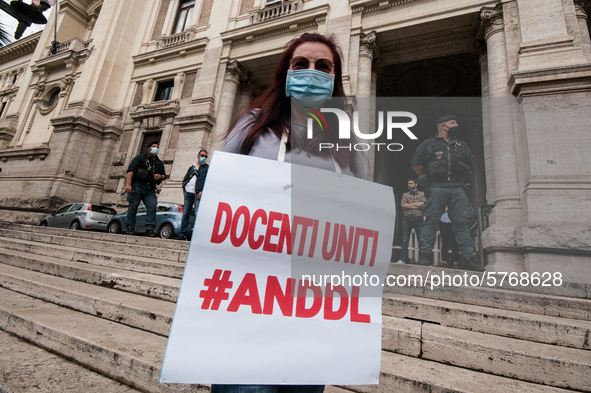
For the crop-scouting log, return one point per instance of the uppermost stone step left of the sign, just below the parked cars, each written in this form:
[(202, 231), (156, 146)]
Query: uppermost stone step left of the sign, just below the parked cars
[(170, 250)]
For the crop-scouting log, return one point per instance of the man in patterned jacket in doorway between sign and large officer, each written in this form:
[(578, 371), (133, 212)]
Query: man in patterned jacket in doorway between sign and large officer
[(412, 202)]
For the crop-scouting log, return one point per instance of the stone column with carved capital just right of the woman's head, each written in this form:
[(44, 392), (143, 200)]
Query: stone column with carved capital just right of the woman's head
[(365, 74)]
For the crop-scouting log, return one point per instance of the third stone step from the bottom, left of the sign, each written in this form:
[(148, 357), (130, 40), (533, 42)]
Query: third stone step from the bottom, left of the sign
[(159, 287)]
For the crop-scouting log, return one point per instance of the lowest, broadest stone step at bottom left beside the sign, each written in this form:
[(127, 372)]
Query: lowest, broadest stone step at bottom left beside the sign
[(128, 355)]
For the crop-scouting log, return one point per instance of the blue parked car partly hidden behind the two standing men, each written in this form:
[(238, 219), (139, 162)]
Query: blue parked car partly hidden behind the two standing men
[(168, 220)]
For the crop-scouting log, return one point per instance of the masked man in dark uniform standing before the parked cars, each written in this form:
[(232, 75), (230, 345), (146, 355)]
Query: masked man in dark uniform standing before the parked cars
[(144, 173)]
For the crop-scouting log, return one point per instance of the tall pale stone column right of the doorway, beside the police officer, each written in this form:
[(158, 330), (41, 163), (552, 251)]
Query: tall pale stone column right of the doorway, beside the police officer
[(506, 215)]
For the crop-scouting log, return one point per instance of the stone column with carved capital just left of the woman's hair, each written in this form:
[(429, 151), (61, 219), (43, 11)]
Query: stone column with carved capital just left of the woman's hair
[(234, 74)]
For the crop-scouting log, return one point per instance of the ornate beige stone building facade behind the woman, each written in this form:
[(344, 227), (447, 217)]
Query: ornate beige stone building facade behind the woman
[(129, 71)]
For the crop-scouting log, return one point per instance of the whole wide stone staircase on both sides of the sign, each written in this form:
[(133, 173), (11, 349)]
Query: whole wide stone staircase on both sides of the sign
[(107, 301)]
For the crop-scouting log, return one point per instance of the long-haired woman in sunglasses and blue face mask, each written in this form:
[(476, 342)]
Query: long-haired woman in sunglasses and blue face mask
[(275, 124)]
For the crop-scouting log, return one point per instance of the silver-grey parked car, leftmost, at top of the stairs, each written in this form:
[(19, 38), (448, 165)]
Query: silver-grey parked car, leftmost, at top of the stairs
[(80, 216)]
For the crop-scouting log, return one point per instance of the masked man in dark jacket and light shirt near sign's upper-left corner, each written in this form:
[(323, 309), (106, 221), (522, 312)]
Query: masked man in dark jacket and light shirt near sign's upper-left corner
[(193, 189)]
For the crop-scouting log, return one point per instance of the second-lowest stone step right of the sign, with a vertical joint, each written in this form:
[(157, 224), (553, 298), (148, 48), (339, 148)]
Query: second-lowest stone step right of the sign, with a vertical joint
[(507, 357)]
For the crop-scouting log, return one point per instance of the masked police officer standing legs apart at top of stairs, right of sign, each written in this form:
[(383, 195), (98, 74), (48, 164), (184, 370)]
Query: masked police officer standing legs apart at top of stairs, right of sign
[(447, 162)]
